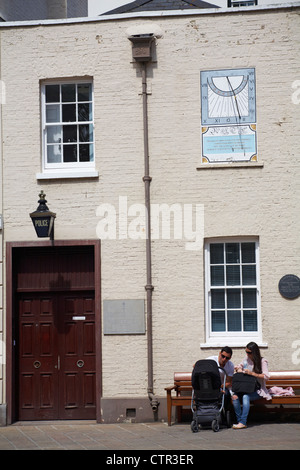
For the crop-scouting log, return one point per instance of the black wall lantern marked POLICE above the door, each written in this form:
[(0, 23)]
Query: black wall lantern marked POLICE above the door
[(43, 219)]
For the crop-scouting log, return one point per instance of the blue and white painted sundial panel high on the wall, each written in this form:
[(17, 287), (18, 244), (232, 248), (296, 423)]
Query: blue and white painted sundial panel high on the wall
[(228, 115)]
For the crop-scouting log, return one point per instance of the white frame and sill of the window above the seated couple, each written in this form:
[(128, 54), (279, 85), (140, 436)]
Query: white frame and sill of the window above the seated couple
[(231, 338)]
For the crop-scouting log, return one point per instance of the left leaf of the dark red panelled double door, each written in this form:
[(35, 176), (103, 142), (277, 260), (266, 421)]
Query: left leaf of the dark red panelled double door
[(38, 378)]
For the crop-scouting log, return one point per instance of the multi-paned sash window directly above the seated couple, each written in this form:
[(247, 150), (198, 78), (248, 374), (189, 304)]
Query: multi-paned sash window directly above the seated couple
[(232, 290)]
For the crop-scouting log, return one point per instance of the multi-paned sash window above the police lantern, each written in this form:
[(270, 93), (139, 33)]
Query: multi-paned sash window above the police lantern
[(68, 125)]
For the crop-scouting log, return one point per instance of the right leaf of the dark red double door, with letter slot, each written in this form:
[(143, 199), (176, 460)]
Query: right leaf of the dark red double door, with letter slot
[(78, 358)]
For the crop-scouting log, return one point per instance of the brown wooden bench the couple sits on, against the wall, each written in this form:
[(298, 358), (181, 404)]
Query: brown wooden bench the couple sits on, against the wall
[(180, 394)]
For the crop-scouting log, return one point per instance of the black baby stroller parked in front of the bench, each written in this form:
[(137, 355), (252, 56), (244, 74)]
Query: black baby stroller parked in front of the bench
[(207, 398)]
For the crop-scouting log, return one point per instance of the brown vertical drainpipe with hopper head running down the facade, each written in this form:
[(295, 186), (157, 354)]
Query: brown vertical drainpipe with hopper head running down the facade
[(141, 51)]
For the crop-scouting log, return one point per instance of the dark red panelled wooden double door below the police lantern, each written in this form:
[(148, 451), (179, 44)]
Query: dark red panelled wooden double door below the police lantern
[(56, 365)]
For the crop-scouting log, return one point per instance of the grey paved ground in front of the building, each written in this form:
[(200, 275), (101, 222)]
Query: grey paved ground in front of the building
[(88, 435)]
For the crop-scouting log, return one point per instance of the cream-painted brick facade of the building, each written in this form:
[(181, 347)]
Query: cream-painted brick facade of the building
[(259, 200)]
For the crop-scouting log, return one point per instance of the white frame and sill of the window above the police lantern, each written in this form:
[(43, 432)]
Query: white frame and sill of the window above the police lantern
[(65, 169)]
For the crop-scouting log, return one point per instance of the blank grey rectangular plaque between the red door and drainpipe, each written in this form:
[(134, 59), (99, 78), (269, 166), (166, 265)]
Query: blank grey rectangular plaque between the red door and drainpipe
[(121, 317)]
